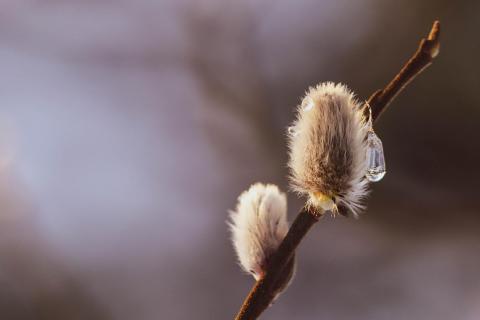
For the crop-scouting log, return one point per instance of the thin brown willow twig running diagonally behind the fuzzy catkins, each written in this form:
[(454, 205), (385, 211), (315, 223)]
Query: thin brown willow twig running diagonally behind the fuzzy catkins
[(261, 295)]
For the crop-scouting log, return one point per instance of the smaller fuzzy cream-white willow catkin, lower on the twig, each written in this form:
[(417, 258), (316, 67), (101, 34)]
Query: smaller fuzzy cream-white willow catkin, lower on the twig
[(258, 226)]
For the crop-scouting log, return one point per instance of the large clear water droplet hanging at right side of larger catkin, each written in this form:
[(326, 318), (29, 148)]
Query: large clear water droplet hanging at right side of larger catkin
[(375, 159)]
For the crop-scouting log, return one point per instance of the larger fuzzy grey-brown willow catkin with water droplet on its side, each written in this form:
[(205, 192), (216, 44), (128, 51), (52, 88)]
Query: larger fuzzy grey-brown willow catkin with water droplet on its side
[(328, 148)]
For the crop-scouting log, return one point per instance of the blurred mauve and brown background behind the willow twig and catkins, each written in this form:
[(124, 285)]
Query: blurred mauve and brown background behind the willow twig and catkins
[(129, 128)]
